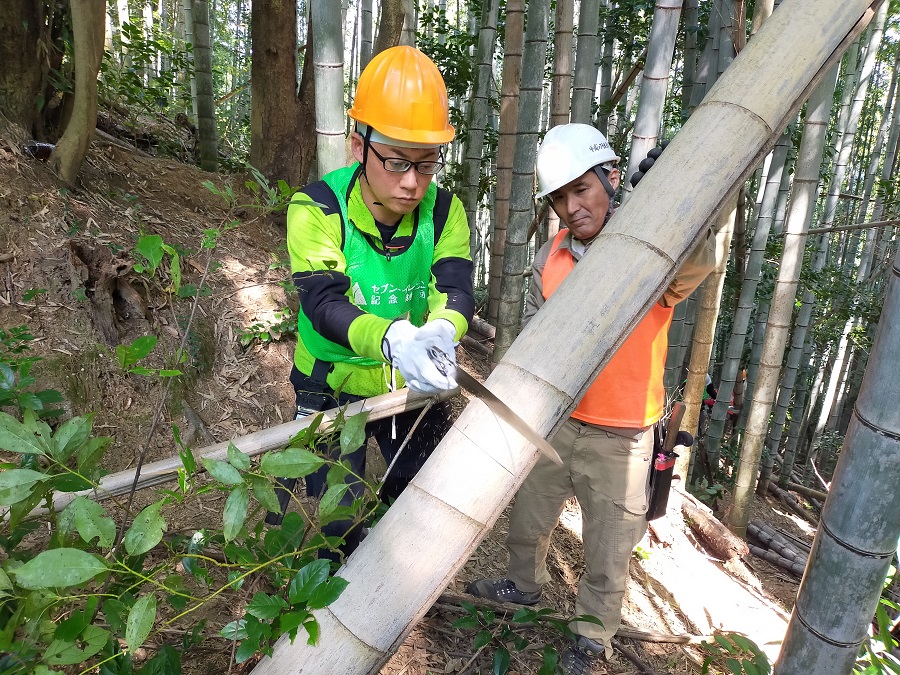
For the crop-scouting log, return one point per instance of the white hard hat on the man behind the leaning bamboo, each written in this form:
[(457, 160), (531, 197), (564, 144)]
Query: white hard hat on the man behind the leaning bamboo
[(567, 152)]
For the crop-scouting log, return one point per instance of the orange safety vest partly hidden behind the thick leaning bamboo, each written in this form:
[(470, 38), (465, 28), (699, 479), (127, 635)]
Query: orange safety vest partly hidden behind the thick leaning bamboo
[(629, 391)]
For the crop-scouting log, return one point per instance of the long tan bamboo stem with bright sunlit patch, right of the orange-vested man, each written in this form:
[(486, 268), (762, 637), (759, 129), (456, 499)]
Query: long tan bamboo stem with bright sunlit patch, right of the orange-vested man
[(806, 181)]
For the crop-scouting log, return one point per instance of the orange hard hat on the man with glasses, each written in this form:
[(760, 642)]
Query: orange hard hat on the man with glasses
[(402, 95)]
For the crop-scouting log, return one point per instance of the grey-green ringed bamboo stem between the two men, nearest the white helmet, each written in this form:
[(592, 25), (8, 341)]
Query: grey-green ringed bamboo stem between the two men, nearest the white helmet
[(521, 205)]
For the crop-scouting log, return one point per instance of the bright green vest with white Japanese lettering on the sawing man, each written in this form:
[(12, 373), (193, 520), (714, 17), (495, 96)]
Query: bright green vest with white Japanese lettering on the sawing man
[(388, 283)]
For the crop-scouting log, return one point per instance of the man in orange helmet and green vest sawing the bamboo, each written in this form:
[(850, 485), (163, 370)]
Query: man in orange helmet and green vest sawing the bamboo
[(382, 267)]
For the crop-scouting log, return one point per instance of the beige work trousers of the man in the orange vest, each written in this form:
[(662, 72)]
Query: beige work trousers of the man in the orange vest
[(608, 474)]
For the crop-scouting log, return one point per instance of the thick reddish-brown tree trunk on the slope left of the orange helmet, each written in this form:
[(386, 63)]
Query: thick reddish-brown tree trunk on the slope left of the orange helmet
[(282, 122)]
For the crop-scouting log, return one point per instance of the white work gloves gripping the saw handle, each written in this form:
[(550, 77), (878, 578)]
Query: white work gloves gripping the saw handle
[(425, 357)]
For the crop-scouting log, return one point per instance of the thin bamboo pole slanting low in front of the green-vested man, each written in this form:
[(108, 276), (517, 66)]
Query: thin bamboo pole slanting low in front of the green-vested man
[(165, 470)]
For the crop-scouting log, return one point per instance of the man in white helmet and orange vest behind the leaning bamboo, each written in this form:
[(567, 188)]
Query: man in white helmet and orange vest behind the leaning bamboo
[(607, 443)]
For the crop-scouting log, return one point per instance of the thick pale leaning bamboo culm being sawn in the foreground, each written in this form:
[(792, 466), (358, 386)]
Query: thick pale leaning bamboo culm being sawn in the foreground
[(427, 535)]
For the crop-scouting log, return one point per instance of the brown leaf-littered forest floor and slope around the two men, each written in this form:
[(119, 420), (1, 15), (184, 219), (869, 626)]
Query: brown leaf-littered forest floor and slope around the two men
[(67, 273)]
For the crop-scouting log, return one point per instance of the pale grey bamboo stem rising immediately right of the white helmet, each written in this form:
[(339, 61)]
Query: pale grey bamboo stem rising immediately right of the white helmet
[(654, 83)]
